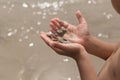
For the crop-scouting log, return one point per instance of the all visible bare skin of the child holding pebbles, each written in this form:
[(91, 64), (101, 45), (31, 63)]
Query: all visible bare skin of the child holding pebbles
[(82, 43)]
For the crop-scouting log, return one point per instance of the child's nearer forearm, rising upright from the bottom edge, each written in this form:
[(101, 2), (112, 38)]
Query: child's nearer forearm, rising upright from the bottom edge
[(86, 69)]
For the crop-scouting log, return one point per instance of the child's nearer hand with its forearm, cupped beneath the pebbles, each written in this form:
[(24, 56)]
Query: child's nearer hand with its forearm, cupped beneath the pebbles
[(75, 51)]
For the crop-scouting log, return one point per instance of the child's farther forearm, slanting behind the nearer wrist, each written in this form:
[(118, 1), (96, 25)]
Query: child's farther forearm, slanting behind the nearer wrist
[(99, 48)]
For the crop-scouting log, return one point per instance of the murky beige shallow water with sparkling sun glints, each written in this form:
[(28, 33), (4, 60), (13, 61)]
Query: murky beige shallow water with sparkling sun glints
[(24, 56)]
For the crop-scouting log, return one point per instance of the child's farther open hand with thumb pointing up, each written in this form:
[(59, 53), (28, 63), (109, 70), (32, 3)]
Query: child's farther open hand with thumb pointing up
[(77, 34)]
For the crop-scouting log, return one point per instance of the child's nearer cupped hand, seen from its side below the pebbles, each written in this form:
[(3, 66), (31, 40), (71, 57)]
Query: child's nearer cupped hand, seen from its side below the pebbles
[(73, 50)]
